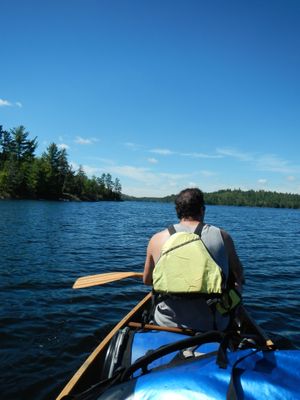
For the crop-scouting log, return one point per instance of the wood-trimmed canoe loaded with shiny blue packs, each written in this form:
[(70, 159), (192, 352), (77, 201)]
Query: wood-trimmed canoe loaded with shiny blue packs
[(138, 360)]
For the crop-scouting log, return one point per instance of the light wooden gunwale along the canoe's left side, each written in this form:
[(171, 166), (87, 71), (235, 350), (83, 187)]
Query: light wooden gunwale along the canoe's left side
[(77, 376)]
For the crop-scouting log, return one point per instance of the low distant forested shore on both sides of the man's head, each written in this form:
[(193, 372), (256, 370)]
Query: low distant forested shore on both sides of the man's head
[(237, 197)]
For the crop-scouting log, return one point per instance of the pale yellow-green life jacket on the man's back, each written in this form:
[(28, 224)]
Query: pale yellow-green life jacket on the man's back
[(185, 267)]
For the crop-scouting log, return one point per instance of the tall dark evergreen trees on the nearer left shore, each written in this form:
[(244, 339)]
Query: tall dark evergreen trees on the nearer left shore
[(23, 175)]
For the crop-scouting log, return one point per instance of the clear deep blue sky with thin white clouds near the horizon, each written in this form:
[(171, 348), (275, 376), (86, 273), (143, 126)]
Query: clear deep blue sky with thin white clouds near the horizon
[(161, 94)]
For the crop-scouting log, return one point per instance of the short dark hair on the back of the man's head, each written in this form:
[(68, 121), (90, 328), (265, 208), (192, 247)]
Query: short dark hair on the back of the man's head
[(188, 203)]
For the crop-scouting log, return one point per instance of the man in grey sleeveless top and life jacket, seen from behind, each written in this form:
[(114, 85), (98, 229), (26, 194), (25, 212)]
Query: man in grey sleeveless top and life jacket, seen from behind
[(187, 272)]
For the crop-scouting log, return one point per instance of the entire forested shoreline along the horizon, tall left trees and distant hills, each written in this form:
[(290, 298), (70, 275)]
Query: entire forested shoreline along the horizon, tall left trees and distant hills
[(23, 175)]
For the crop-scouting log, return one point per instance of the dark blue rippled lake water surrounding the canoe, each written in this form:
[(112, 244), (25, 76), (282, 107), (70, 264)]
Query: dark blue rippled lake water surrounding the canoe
[(47, 329)]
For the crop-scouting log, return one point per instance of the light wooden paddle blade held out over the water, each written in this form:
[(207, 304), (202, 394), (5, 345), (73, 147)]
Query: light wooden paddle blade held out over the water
[(101, 279)]
